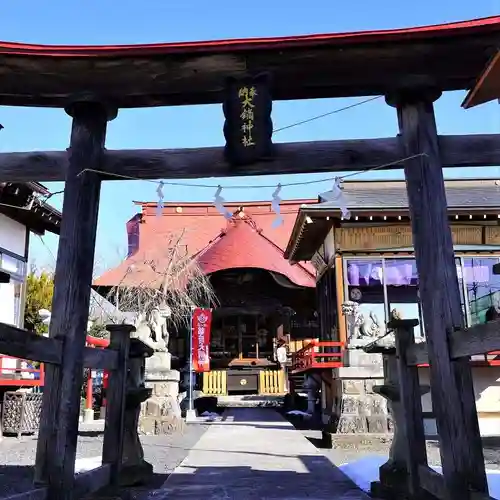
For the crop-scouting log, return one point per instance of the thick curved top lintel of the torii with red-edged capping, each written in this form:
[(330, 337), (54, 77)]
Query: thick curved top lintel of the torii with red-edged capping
[(449, 56)]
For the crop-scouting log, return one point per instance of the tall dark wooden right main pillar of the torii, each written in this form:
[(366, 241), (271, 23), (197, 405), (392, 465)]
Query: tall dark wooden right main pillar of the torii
[(452, 388)]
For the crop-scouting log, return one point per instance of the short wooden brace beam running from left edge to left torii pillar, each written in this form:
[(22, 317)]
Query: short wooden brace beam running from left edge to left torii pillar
[(28, 345)]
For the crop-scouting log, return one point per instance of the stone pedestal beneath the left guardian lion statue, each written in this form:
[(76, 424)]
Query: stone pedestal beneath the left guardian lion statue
[(161, 413)]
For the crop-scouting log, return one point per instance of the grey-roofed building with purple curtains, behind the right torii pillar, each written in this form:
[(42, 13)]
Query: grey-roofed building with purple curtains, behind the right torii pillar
[(365, 266)]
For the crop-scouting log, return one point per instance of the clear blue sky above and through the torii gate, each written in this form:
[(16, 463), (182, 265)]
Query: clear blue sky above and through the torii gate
[(111, 22)]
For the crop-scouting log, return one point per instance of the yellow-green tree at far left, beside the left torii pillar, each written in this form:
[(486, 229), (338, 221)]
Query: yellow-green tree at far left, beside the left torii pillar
[(39, 293)]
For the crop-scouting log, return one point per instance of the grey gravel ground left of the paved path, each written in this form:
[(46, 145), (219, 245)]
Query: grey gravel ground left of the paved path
[(17, 457)]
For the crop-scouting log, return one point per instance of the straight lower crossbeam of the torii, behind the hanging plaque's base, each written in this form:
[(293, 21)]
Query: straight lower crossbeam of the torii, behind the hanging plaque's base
[(289, 158)]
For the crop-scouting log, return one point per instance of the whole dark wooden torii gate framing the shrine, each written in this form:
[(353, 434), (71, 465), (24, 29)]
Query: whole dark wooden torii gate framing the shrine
[(410, 67)]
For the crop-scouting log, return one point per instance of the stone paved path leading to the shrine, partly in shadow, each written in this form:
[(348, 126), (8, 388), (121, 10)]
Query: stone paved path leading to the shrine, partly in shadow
[(255, 454)]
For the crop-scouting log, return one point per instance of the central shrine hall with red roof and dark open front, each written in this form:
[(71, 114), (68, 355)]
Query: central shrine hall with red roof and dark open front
[(262, 300)]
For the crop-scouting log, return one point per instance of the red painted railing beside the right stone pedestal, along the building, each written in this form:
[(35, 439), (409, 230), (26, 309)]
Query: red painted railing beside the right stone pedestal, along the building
[(313, 356)]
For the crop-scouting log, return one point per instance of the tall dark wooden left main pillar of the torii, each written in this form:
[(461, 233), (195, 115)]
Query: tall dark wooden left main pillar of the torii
[(57, 440)]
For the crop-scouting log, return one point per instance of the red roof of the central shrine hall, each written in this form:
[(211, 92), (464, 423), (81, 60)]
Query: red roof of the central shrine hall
[(246, 241)]
